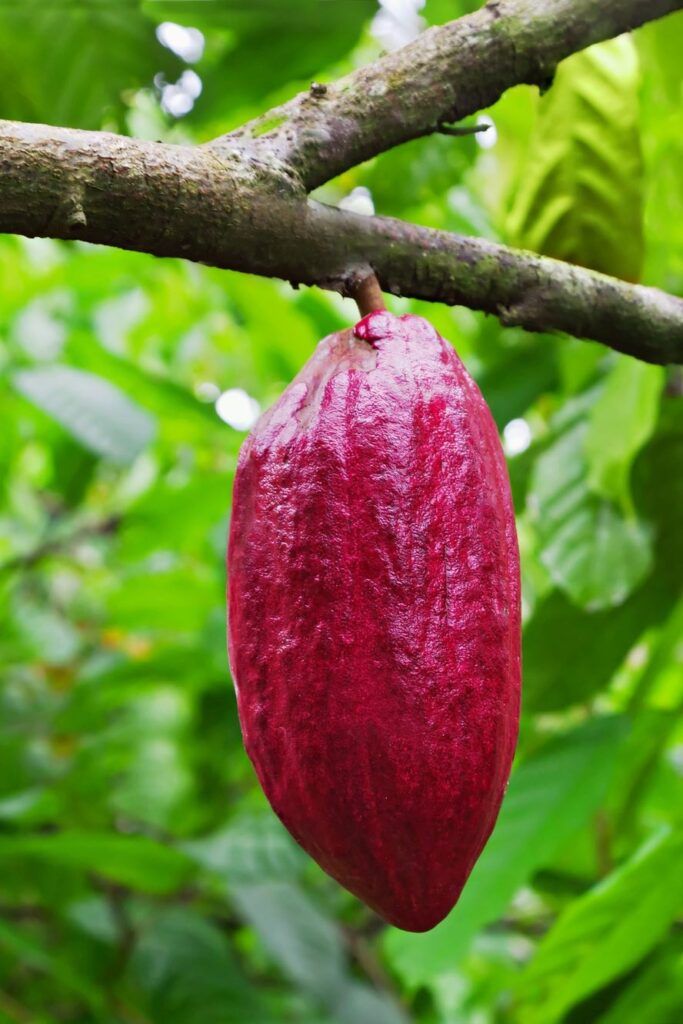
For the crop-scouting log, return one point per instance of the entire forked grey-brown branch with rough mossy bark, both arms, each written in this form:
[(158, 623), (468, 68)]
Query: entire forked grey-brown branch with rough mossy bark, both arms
[(241, 202)]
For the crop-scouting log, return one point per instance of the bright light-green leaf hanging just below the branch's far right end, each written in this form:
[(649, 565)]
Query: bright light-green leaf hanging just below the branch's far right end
[(621, 422)]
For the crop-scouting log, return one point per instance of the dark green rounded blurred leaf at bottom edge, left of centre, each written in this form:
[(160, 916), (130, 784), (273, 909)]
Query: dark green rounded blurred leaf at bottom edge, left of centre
[(187, 969)]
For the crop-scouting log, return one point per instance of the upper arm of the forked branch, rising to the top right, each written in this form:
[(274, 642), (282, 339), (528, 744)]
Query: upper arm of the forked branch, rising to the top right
[(447, 74)]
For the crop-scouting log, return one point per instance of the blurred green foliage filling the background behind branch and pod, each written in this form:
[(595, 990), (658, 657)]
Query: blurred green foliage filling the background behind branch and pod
[(143, 877)]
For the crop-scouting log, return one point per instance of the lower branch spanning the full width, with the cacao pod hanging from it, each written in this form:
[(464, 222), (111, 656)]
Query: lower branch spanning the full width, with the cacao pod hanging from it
[(230, 212)]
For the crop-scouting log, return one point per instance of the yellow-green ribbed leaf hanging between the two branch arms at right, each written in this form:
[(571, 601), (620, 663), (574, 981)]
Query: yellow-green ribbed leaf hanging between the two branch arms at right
[(581, 194)]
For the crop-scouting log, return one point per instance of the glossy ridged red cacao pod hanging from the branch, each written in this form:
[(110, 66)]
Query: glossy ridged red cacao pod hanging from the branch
[(374, 615)]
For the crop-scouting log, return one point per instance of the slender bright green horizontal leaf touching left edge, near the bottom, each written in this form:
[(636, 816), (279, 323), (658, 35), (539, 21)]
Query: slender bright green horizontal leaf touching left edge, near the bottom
[(130, 861)]
